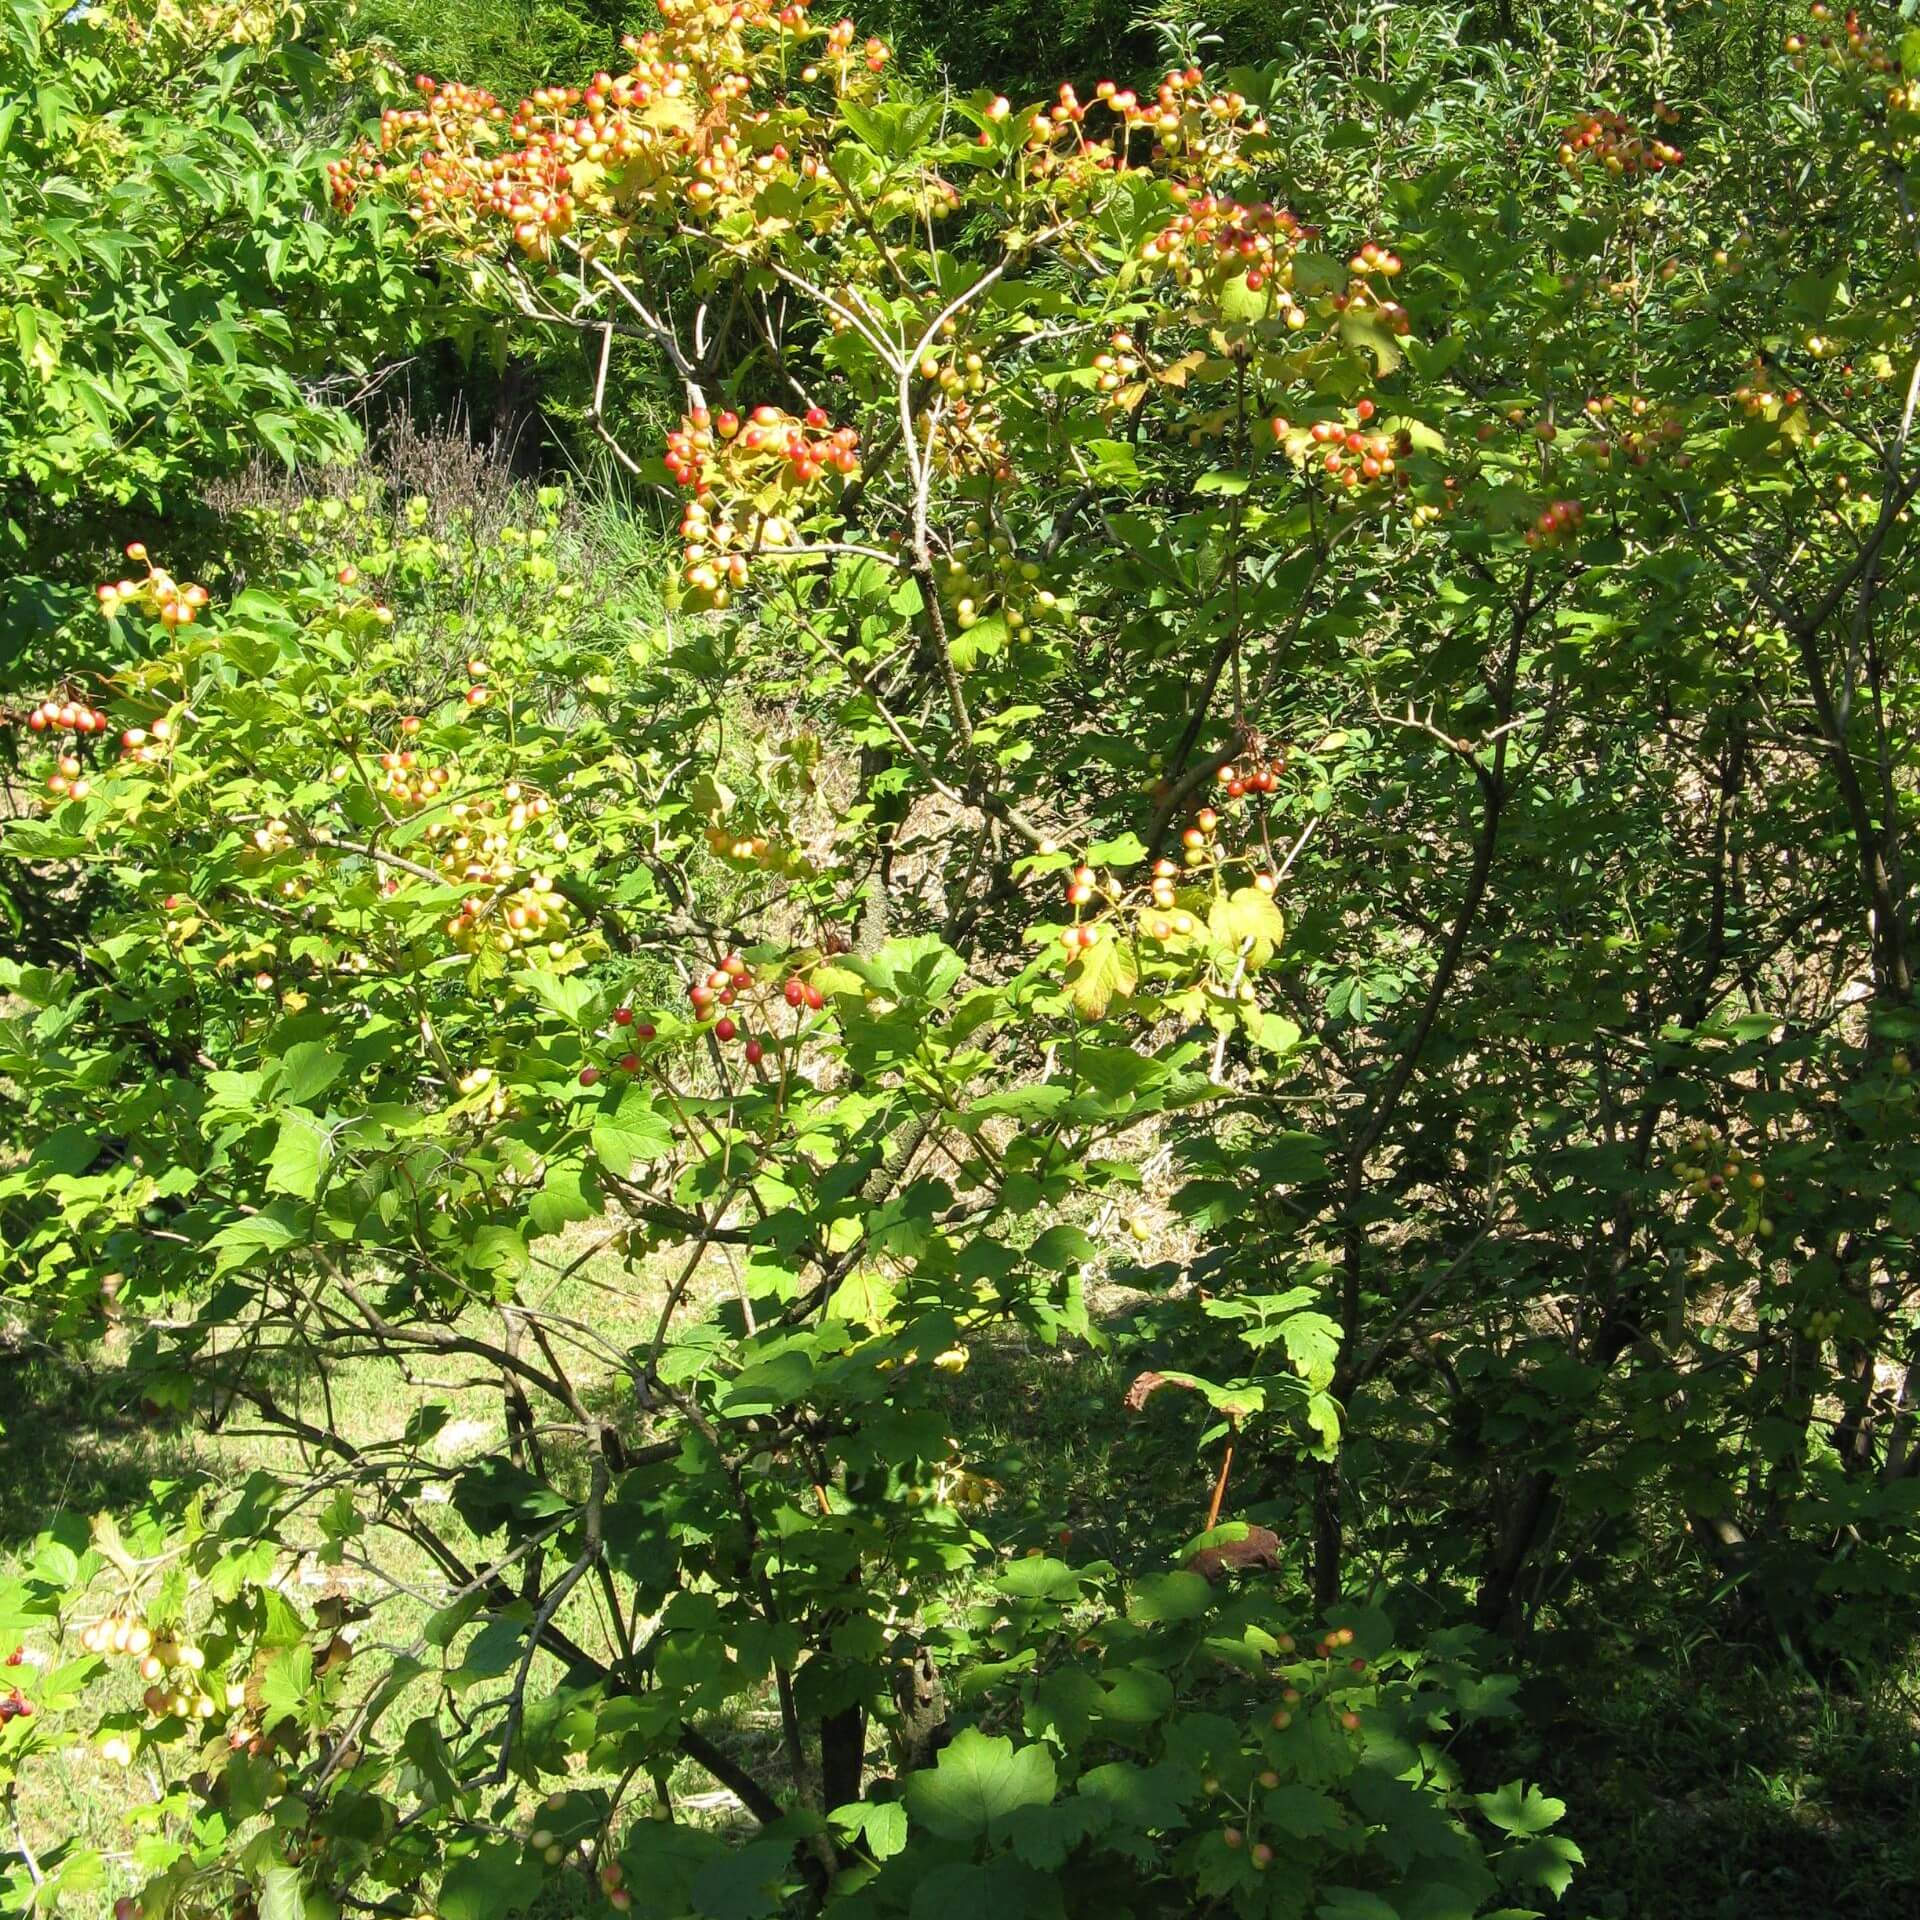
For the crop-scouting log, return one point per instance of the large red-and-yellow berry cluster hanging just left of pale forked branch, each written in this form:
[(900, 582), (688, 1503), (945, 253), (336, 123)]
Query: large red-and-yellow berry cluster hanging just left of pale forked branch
[(736, 471)]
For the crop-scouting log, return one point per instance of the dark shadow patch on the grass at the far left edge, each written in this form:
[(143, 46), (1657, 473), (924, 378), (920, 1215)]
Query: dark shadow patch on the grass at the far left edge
[(80, 1441)]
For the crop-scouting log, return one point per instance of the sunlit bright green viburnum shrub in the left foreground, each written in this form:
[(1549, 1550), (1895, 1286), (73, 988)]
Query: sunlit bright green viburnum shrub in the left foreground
[(400, 988)]
